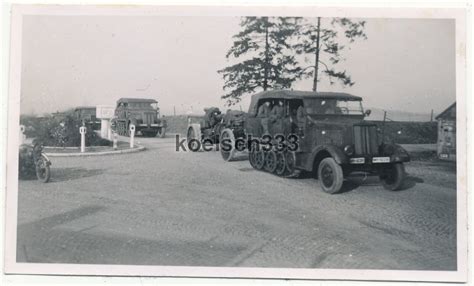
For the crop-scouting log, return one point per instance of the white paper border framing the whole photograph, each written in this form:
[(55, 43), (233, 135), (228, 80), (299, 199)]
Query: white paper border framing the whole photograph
[(13, 267)]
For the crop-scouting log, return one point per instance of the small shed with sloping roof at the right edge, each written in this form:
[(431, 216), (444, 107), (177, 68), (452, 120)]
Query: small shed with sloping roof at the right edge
[(447, 133)]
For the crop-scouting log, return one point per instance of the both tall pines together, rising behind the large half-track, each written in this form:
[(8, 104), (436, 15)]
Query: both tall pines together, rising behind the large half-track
[(274, 52)]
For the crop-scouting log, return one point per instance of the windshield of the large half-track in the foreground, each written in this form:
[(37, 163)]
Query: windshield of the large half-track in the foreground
[(334, 106)]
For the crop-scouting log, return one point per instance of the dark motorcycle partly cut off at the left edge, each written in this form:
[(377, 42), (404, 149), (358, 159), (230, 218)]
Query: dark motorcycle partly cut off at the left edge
[(34, 162)]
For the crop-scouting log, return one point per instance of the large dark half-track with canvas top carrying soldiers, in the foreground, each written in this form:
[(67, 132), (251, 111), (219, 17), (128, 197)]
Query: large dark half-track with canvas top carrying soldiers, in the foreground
[(327, 135)]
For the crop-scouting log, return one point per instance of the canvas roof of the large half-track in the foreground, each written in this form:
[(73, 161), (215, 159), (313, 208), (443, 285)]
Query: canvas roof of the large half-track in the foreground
[(288, 94)]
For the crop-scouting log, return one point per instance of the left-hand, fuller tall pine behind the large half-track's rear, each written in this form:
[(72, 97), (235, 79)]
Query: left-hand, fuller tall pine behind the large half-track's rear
[(267, 61)]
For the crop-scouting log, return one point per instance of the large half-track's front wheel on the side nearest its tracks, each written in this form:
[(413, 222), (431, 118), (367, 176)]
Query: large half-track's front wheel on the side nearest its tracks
[(330, 176)]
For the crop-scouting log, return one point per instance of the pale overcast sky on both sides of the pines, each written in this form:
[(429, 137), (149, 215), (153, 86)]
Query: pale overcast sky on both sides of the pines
[(405, 64)]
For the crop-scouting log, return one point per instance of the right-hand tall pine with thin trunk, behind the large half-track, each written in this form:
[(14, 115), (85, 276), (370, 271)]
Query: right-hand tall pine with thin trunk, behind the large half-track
[(321, 45)]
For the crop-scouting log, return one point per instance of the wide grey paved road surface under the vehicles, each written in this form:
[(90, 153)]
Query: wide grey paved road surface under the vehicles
[(163, 207)]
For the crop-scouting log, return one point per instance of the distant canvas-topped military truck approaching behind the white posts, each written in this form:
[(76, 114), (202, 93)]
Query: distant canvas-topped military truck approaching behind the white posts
[(143, 113)]
